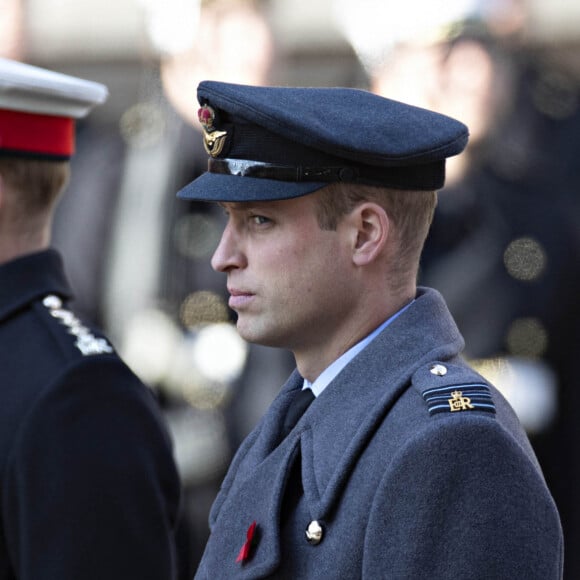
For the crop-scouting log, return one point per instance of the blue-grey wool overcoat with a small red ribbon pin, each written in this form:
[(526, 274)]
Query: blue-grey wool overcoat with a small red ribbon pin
[(408, 466)]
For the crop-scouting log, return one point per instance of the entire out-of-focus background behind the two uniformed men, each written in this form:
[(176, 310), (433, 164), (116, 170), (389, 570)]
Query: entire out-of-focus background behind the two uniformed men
[(505, 244)]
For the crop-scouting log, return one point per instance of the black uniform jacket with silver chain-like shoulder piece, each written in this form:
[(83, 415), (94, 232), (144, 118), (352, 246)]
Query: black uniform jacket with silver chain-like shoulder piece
[(89, 489)]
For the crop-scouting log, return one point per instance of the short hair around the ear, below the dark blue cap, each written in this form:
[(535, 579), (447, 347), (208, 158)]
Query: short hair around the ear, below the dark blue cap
[(411, 213)]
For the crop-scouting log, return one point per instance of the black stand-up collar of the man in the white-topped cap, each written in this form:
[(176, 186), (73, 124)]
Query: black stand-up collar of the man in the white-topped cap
[(29, 278)]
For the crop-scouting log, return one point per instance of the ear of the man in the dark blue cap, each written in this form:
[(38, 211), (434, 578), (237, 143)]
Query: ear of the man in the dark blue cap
[(372, 232)]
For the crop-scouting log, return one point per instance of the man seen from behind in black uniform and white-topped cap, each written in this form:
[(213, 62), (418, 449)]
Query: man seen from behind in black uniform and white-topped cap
[(88, 483)]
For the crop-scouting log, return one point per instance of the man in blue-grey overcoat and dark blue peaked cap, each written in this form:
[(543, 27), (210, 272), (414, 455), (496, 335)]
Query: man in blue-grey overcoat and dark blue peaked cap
[(406, 463)]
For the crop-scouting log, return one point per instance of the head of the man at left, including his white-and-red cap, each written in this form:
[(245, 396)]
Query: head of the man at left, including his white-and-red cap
[(38, 110)]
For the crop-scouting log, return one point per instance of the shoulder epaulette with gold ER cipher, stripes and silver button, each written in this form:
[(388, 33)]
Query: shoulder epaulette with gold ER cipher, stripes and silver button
[(448, 388)]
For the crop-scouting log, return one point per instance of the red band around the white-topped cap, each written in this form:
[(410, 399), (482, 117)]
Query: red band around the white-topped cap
[(32, 133)]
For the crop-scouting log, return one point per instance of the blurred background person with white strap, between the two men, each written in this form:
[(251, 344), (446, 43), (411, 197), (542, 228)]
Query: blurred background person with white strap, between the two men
[(164, 304)]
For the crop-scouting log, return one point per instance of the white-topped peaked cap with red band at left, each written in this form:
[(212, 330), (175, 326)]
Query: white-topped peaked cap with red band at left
[(38, 108)]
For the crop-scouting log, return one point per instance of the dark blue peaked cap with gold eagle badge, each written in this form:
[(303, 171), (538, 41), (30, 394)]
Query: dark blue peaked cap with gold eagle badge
[(268, 143)]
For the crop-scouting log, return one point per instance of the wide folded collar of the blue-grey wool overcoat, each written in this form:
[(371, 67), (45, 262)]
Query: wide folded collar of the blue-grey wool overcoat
[(361, 395)]
